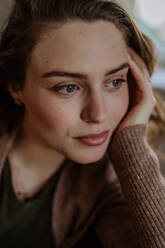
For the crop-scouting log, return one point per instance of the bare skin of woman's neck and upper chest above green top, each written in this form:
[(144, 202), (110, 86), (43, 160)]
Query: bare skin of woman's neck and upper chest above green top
[(31, 166)]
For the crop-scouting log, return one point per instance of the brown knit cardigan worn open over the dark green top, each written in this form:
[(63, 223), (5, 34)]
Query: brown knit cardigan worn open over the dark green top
[(122, 200)]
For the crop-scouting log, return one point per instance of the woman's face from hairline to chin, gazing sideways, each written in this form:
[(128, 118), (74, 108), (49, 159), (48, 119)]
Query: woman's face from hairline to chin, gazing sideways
[(76, 86)]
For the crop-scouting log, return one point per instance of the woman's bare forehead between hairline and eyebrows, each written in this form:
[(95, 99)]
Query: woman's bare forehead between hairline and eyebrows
[(79, 43)]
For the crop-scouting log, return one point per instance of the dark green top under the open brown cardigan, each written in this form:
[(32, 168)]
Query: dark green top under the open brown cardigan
[(26, 224)]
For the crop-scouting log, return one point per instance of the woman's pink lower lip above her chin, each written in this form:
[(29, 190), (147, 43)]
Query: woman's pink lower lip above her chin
[(94, 141)]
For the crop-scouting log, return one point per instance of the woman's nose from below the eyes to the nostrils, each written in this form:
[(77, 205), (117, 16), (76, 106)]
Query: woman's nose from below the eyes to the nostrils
[(94, 110)]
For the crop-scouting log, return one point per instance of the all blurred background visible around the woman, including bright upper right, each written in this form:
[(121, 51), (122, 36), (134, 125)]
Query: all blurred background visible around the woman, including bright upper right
[(150, 18)]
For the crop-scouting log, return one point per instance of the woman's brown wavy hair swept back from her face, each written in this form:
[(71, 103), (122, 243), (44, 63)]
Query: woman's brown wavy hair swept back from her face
[(29, 19)]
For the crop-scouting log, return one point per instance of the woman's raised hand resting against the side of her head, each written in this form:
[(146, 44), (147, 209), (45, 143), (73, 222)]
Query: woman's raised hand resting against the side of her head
[(142, 101)]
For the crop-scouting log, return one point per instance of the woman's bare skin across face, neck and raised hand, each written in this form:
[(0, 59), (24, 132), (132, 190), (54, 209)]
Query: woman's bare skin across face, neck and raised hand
[(55, 118)]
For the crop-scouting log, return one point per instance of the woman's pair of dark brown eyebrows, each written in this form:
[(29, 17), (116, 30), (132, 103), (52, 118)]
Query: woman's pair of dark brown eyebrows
[(79, 75)]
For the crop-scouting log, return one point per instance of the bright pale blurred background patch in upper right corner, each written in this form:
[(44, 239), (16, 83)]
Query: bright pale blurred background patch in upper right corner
[(150, 17)]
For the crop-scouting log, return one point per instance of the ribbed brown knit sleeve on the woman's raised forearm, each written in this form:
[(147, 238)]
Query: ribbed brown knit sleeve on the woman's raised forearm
[(143, 186)]
